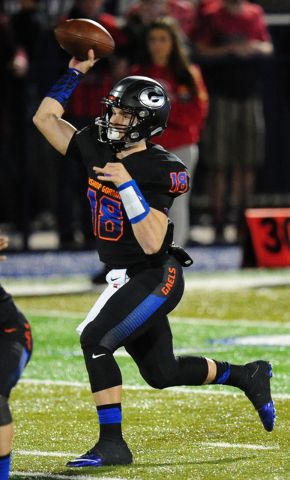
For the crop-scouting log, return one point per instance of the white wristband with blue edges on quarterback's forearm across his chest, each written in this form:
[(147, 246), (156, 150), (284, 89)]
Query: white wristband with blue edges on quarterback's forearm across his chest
[(134, 203)]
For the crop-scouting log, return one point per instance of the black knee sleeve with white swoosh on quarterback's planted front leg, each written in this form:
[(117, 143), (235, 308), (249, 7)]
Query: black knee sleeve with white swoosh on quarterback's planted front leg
[(102, 368)]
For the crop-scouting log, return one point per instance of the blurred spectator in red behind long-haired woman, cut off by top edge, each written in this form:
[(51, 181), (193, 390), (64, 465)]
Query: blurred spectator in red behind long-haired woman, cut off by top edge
[(142, 12)]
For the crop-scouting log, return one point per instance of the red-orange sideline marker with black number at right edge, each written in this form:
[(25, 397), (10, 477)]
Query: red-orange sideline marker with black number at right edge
[(270, 232)]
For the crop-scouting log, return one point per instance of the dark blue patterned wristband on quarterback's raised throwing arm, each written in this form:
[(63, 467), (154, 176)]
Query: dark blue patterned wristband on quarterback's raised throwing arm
[(62, 90)]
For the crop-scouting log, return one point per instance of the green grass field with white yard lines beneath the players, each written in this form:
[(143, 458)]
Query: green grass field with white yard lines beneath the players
[(184, 433)]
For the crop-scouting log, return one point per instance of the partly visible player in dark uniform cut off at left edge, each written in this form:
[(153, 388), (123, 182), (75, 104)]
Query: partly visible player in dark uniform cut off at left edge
[(15, 352)]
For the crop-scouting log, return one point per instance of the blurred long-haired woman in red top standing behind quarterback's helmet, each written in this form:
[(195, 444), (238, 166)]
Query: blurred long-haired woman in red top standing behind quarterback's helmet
[(164, 59)]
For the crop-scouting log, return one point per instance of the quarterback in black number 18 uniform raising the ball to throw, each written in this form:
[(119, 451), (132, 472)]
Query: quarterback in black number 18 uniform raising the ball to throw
[(131, 186)]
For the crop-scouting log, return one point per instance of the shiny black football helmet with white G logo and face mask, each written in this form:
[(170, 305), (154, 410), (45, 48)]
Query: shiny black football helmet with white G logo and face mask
[(147, 102)]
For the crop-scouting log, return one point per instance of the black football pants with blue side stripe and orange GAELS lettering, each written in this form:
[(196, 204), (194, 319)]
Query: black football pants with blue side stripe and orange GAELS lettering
[(136, 317)]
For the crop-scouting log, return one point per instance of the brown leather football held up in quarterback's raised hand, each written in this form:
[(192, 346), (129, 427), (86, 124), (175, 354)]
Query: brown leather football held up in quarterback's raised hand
[(78, 36)]
